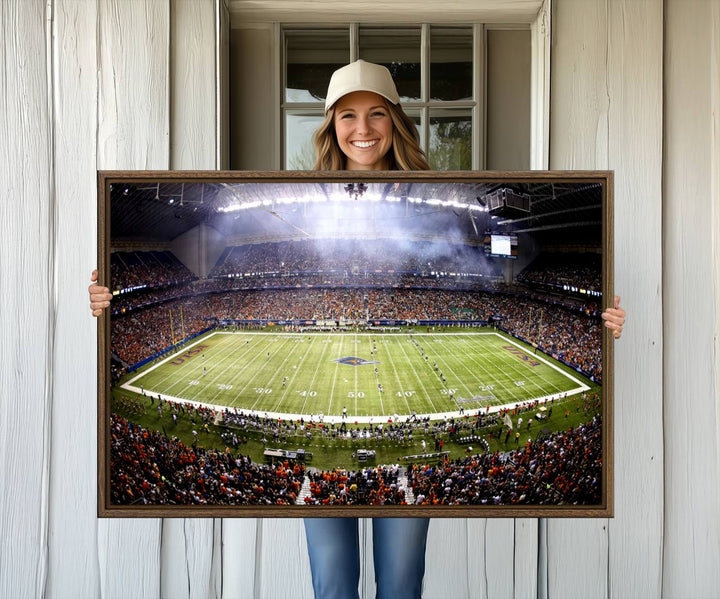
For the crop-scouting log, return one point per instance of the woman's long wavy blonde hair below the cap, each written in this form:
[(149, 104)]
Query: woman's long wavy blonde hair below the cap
[(405, 154)]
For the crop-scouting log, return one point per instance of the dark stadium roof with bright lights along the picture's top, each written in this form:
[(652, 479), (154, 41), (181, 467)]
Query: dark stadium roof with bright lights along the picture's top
[(160, 212)]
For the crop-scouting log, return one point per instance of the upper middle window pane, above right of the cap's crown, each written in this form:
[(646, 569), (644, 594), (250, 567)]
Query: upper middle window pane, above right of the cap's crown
[(399, 50)]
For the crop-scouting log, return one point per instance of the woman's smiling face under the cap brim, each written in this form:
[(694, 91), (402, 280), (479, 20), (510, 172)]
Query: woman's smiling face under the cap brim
[(364, 130)]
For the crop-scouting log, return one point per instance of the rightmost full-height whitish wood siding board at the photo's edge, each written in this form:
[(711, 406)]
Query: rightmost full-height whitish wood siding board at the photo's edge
[(692, 399)]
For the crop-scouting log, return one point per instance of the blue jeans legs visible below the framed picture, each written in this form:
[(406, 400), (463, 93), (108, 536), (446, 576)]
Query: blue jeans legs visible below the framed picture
[(398, 551)]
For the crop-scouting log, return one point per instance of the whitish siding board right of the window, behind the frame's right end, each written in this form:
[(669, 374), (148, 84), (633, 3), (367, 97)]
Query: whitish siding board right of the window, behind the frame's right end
[(579, 101)]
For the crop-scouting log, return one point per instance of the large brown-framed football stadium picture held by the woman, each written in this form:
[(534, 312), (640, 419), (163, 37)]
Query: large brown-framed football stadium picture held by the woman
[(286, 344)]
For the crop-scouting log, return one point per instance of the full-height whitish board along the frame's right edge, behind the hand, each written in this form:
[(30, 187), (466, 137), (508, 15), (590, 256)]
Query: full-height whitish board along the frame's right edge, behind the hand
[(635, 140)]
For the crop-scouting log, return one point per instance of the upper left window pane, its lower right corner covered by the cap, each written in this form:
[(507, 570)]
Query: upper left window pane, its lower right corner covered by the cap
[(311, 58)]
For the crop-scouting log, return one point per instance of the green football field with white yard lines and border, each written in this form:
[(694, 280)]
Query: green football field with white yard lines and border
[(370, 374)]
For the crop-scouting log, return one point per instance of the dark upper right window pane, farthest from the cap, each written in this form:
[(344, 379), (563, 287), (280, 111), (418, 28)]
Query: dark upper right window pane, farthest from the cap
[(451, 56)]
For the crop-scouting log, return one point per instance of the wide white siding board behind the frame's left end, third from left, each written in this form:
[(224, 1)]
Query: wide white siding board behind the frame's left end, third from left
[(133, 132)]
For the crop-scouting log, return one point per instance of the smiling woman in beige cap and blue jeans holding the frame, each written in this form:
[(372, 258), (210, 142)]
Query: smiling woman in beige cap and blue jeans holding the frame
[(365, 129)]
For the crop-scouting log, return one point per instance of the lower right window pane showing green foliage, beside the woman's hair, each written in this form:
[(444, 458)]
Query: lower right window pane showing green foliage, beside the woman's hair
[(450, 146)]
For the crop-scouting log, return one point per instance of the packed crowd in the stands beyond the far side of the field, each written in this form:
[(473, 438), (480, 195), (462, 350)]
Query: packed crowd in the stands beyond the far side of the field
[(150, 320)]
